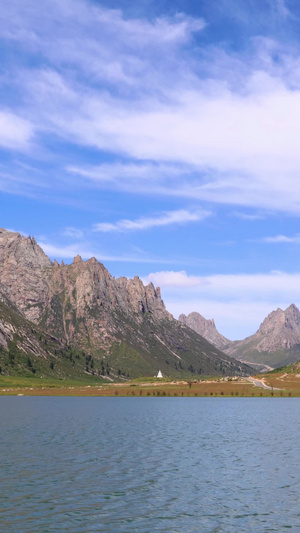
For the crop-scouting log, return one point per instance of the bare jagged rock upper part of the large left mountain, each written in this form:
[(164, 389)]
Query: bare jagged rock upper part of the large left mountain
[(60, 296)]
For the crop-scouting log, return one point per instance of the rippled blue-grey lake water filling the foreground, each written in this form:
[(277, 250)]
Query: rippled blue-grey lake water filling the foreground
[(149, 464)]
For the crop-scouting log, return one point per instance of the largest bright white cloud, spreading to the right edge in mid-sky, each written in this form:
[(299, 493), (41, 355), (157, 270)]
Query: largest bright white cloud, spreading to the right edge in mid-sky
[(231, 149)]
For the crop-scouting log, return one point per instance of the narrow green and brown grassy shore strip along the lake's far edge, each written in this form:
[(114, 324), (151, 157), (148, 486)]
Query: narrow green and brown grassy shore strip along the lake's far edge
[(289, 385)]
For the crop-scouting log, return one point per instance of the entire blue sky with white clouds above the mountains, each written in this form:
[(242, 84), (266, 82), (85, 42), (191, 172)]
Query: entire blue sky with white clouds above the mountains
[(162, 138)]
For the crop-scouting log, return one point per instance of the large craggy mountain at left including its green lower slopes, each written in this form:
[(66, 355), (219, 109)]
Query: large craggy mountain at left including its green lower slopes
[(119, 324)]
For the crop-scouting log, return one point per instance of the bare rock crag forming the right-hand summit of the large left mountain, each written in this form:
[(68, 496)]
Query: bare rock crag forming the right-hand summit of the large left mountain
[(85, 303)]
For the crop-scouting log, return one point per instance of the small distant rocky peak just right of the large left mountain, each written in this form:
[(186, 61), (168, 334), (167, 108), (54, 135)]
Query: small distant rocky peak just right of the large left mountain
[(206, 328)]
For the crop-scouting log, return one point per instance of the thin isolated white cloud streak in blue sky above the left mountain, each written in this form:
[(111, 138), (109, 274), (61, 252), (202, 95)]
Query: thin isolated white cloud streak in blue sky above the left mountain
[(180, 216)]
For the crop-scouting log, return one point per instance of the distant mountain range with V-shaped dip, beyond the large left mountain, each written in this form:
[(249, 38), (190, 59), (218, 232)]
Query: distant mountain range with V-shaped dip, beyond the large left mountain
[(275, 344)]
